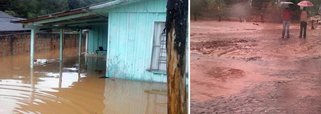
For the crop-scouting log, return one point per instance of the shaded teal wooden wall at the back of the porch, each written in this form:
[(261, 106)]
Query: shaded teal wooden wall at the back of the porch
[(97, 37)]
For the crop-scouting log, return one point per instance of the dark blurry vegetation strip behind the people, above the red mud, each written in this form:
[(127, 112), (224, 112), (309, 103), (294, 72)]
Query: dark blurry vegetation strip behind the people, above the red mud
[(217, 9)]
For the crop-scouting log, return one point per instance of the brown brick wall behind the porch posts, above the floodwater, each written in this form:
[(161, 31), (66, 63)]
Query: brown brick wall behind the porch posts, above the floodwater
[(18, 43)]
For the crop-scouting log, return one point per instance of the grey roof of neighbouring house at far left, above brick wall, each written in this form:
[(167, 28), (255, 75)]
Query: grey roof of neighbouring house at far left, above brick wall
[(7, 26)]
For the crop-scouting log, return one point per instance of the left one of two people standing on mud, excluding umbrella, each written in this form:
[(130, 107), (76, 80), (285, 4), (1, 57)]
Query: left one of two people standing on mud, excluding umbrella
[(286, 16)]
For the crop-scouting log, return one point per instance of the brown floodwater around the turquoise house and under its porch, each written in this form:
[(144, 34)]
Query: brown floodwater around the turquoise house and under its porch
[(46, 90)]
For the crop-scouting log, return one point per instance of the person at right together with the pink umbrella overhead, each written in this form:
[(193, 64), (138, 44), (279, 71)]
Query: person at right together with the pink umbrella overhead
[(304, 17)]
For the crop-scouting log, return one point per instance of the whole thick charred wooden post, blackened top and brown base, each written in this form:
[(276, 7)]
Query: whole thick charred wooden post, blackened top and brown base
[(176, 35)]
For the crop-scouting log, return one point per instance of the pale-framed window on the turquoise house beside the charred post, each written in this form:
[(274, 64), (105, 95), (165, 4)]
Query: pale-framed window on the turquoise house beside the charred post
[(159, 48)]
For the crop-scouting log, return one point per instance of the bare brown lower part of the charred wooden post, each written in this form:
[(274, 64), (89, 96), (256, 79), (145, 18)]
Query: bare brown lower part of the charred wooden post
[(176, 78)]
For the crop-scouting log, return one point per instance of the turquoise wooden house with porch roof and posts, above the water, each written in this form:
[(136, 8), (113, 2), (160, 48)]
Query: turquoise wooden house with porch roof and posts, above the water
[(128, 33)]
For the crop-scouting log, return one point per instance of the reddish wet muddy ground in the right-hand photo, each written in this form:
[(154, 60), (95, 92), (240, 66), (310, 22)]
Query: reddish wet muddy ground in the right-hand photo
[(247, 68)]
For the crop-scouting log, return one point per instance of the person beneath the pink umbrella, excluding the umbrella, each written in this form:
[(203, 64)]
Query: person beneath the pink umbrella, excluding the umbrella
[(303, 22)]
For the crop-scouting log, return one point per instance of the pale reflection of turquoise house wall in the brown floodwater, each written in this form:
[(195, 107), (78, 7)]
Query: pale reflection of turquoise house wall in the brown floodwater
[(127, 97)]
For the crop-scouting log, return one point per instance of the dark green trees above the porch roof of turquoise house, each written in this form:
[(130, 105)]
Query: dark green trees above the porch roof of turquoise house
[(33, 8)]
